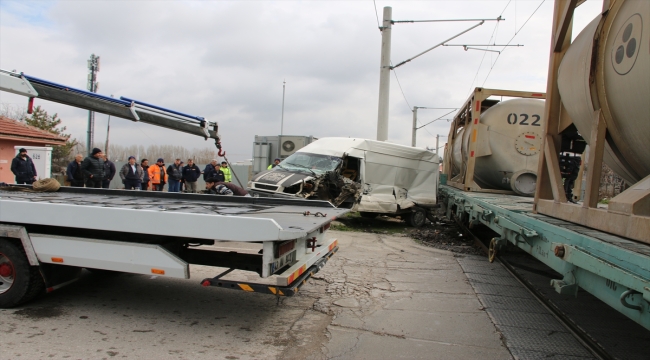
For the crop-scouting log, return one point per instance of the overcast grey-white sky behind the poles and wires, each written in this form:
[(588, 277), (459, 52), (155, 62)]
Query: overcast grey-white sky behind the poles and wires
[(226, 61)]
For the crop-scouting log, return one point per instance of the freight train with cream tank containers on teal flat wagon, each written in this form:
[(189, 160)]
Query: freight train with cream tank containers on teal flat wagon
[(599, 87)]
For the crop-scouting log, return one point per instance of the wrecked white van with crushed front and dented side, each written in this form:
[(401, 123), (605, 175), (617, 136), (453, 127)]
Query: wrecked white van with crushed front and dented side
[(390, 177)]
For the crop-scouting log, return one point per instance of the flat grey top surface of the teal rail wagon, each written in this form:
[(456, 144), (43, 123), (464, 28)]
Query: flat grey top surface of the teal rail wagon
[(524, 206)]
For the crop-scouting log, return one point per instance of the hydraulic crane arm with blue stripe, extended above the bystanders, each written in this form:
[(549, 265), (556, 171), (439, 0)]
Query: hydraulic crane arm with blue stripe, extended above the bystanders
[(134, 110)]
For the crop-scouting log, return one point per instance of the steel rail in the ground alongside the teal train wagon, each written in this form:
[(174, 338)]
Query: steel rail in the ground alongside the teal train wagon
[(582, 336)]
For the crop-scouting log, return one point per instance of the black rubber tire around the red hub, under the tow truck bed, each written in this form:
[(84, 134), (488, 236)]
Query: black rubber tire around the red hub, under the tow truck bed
[(28, 281)]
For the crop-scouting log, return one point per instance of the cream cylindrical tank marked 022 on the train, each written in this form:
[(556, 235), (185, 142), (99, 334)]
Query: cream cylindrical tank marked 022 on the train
[(508, 140)]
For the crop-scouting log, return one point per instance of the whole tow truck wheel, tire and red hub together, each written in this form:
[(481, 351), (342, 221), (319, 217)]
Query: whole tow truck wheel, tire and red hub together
[(20, 281)]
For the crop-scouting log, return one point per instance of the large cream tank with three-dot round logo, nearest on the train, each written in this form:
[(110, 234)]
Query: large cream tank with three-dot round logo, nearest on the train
[(618, 81)]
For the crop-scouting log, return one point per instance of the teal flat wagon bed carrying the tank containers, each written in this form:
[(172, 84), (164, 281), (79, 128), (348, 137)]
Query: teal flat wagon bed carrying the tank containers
[(613, 269)]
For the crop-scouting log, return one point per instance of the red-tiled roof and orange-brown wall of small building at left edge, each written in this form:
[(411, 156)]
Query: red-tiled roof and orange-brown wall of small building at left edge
[(15, 133)]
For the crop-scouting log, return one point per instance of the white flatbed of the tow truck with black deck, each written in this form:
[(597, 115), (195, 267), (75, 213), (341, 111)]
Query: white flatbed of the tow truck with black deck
[(161, 234)]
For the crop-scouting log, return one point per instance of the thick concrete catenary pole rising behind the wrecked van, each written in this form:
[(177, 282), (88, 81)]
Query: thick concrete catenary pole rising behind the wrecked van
[(384, 75)]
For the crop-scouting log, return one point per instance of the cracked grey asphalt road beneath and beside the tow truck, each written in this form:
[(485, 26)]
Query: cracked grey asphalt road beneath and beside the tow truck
[(379, 297)]
